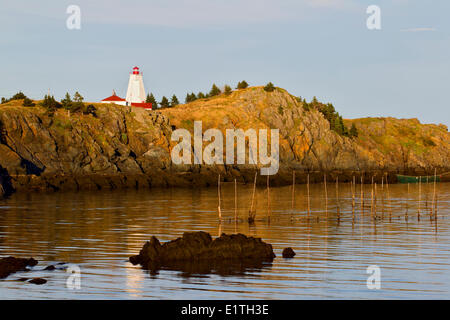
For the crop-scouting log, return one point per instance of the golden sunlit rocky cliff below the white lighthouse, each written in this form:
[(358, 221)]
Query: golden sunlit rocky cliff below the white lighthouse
[(126, 147)]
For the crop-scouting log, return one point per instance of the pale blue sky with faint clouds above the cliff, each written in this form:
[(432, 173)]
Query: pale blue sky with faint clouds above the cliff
[(311, 48)]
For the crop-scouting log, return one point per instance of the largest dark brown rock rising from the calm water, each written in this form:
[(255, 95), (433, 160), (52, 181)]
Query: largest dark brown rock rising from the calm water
[(200, 248)]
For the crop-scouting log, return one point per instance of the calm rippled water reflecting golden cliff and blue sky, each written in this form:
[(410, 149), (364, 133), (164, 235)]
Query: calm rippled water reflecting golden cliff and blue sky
[(99, 231)]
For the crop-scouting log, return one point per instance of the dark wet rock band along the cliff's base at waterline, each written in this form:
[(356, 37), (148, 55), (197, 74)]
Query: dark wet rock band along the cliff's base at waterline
[(10, 184)]
